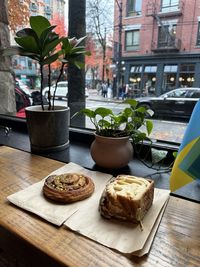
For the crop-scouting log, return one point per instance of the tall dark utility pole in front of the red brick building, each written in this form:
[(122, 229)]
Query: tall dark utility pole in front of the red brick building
[(119, 50)]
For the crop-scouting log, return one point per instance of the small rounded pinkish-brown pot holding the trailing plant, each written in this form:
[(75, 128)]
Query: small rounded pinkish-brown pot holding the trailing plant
[(111, 152)]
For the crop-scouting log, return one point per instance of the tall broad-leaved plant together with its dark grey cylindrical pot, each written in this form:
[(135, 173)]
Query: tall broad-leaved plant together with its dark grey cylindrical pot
[(48, 125)]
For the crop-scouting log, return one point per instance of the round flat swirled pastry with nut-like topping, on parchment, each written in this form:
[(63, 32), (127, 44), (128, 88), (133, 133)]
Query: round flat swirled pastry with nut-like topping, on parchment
[(68, 187)]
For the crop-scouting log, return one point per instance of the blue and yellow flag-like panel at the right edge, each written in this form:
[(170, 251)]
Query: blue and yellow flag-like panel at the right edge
[(187, 164)]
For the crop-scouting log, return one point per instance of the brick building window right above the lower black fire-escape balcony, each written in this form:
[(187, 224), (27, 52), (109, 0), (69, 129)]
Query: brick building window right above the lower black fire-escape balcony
[(167, 36)]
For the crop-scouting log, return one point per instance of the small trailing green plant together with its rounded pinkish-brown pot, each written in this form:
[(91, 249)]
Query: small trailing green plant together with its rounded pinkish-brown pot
[(112, 147)]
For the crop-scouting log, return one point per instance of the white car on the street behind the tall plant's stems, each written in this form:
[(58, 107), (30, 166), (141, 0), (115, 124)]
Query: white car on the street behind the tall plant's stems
[(61, 91)]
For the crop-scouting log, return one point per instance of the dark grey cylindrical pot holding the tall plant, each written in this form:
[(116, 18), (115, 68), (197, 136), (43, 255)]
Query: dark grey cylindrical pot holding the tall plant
[(48, 129)]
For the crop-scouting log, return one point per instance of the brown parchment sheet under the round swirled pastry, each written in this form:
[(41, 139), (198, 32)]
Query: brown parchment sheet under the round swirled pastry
[(32, 199)]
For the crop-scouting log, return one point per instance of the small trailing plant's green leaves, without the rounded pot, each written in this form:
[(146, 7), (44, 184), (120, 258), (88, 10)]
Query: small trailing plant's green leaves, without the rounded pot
[(128, 122)]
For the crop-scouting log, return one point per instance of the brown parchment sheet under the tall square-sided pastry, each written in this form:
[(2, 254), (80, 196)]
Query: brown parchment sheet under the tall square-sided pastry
[(122, 236)]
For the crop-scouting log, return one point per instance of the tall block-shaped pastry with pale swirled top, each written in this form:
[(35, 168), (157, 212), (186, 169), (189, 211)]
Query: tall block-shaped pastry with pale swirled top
[(127, 197)]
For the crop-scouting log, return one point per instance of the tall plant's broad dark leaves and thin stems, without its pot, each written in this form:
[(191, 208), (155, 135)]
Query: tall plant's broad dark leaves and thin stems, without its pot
[(41, 43)]
